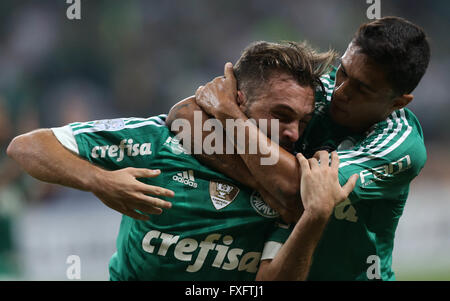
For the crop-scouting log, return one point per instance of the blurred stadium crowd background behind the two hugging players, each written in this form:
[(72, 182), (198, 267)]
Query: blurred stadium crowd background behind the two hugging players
[(138, 58)]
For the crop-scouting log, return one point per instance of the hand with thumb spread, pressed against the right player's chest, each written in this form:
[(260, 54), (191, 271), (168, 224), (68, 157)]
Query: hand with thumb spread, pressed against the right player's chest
[(319, 187)]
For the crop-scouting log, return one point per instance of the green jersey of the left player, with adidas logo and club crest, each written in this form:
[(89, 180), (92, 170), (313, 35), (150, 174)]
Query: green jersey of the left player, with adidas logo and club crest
[(216, 228)]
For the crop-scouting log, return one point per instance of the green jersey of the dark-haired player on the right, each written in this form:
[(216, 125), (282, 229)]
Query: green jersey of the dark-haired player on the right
[(358, 241)]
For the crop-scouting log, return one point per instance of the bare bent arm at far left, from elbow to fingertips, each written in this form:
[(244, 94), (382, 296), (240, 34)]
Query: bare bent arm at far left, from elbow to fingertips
[(42, 156)]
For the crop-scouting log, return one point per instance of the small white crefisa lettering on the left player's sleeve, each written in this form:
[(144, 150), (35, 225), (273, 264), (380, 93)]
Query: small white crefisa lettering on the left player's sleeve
[(125, 147)]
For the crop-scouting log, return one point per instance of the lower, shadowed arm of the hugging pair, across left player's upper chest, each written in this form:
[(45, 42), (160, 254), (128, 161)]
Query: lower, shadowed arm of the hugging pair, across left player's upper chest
[(231, 165)]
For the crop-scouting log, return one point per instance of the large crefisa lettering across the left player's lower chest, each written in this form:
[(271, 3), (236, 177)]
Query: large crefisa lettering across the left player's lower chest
[(225, 257)]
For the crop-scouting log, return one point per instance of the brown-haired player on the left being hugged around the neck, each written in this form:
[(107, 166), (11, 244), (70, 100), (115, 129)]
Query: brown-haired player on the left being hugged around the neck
[(216, 228)]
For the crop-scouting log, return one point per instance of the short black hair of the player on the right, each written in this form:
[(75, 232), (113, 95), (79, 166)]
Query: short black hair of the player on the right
[(400, 46)]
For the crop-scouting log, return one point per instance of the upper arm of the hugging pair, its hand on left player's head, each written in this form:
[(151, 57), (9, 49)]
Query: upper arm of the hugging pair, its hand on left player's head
[(281, 175)]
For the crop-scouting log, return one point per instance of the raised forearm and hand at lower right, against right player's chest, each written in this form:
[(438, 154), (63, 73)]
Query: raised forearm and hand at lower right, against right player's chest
[(320, 192)]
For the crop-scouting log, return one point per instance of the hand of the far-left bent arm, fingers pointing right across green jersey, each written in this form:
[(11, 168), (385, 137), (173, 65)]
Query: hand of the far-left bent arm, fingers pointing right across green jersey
[(120, 190)]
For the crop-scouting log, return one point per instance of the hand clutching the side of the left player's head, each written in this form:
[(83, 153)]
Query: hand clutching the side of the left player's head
[(218, 97)]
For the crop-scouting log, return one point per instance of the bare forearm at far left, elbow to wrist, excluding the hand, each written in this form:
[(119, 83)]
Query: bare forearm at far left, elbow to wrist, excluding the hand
[(42, 156)]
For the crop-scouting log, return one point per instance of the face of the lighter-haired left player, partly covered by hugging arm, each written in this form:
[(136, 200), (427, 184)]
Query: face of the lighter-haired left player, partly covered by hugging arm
[(284, 99)]
